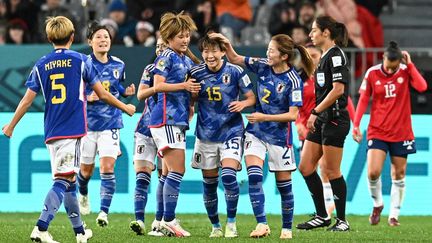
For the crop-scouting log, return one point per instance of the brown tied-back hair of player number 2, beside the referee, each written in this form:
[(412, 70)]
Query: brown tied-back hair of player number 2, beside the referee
[(286, 46)]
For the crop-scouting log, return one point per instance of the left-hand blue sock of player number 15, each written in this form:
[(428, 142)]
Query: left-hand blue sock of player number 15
[(211, 200)]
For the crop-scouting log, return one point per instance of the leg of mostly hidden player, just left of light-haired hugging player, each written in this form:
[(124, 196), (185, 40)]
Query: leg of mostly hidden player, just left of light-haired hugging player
[(144, 153)]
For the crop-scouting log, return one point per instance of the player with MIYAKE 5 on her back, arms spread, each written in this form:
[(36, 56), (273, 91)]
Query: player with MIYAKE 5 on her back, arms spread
[(59, 75)]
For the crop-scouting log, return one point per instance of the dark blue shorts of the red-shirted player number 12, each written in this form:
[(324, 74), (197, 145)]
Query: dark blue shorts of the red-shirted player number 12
[(399, 149)]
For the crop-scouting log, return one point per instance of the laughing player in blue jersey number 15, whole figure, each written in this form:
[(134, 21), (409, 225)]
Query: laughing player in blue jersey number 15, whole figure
[(220, 129)]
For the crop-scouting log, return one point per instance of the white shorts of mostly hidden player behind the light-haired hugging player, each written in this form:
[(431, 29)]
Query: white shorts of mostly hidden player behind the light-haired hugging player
[(145, 152)]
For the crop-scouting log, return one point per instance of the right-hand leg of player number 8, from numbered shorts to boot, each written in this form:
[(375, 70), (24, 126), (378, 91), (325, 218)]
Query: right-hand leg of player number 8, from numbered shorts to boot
[(108, 145)]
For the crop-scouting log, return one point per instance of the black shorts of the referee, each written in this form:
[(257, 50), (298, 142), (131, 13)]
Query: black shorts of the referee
[(332, 133)]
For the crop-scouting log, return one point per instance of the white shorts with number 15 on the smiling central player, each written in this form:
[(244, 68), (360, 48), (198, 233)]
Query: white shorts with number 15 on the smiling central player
[(208, 155)]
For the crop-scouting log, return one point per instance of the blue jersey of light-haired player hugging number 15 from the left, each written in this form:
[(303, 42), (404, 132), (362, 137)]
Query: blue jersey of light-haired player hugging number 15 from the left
[(172, 108)]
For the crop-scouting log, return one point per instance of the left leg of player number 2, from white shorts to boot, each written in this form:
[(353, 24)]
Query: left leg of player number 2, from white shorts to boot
[(255, 151)]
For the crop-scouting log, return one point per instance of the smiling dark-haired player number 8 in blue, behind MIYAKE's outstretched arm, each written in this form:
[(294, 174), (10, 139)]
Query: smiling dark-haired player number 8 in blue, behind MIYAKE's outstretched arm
[(104, 122)]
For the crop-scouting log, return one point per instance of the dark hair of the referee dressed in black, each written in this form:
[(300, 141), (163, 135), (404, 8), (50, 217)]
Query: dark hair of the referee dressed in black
[(338, 31)]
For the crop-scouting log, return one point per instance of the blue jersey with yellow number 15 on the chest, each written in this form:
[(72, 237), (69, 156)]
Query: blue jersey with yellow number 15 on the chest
[(218, 89)]
